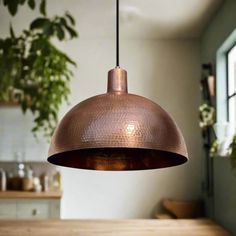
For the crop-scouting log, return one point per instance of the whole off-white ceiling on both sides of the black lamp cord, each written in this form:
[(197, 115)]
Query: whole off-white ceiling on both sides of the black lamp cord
[(142, 18)]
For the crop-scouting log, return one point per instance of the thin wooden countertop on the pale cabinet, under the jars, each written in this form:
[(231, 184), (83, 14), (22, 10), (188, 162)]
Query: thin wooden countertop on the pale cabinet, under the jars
[(30, 195)]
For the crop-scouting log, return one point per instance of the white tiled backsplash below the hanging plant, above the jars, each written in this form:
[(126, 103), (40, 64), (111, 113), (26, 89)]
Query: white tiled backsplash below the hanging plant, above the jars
[(16, 137)]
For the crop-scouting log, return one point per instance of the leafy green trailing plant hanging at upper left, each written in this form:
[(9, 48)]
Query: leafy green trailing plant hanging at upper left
[(35, 73)]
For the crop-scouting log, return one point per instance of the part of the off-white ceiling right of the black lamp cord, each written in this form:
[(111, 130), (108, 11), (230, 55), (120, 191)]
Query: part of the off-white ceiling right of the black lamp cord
[(167, 18)]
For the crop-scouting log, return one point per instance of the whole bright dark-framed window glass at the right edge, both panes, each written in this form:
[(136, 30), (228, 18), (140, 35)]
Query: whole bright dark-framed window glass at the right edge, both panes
[(231, 86)]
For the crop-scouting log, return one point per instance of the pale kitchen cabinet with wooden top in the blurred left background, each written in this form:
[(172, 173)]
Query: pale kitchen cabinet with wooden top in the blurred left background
[(29, 206)]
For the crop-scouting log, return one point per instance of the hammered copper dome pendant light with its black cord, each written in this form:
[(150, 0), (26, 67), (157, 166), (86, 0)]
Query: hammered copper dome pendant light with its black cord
[(117, 130)]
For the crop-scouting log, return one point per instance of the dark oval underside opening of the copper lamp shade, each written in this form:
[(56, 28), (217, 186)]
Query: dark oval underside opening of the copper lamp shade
[(104, 159)]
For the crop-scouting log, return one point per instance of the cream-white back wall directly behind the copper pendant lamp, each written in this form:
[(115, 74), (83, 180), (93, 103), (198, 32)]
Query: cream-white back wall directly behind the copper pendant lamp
[(166, 71)]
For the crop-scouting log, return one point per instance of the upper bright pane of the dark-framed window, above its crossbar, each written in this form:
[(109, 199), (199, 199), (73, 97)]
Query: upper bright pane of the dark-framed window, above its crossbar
[(232, 71)]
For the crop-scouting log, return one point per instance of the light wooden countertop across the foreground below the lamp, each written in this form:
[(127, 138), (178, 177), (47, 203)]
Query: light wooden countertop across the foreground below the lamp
[(200, 227)]
